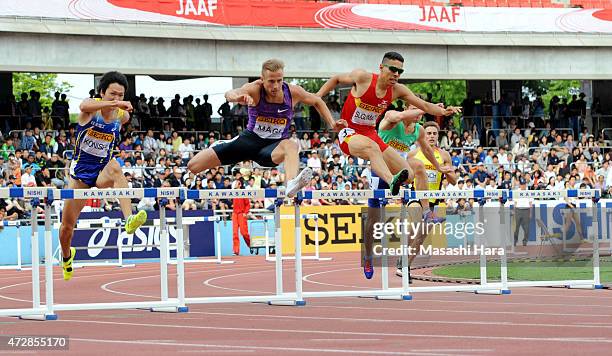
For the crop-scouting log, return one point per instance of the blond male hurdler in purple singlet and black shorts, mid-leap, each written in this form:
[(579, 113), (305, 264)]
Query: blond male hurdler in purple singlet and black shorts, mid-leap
[(265, 140)]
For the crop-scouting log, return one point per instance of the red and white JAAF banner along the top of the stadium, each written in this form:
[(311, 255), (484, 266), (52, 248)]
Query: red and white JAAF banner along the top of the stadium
[(270, 13)]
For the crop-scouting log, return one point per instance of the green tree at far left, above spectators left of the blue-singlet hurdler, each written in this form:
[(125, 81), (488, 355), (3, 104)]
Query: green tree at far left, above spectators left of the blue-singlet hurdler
[(44, 83)]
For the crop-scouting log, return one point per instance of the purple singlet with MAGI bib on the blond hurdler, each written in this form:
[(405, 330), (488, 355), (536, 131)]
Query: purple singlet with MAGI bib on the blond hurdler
[(269, 120)]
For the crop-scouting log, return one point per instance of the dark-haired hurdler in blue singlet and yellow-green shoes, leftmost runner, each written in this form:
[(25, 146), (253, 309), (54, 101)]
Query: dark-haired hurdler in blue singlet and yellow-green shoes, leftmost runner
[(92, 164)]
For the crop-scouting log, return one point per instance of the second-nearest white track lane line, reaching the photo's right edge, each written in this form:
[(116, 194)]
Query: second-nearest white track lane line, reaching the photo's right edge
[(350, 333)]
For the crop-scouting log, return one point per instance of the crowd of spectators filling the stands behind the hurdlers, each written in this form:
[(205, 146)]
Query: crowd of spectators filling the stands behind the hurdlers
[(491, 147)]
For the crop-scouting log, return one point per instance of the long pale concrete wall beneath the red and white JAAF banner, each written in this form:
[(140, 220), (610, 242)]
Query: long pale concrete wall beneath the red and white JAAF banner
[(166, 56)]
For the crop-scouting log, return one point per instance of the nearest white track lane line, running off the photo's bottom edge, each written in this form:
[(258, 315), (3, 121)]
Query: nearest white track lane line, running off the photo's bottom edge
[(253, 347)]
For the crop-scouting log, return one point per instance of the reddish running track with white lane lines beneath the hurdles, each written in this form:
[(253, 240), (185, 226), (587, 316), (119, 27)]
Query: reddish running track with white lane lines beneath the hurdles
[(529, 321)]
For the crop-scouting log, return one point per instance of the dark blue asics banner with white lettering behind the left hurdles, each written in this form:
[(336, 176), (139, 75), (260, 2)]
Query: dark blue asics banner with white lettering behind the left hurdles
[(102, 242)]
